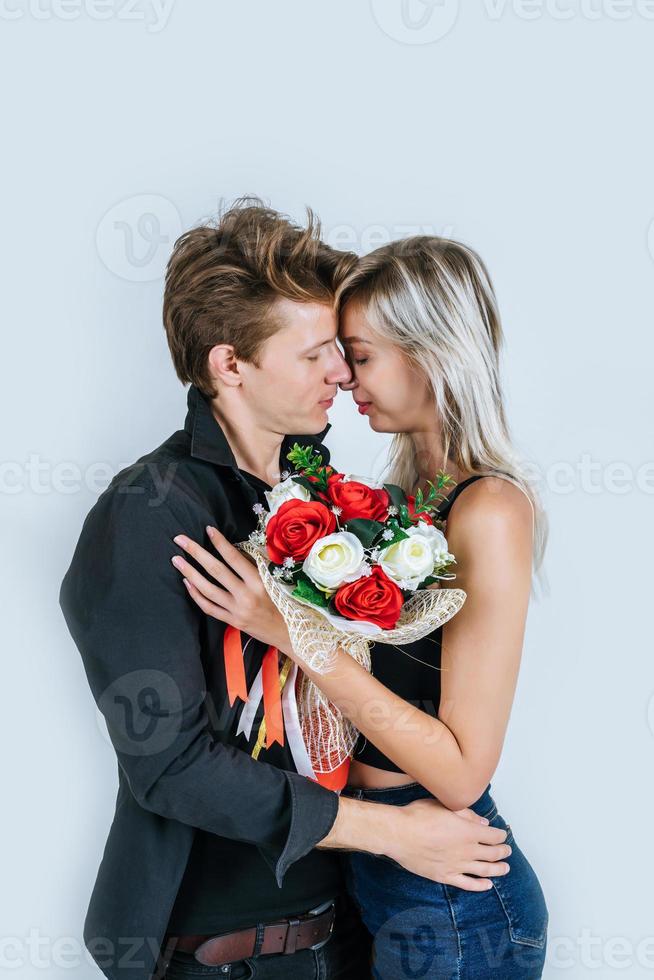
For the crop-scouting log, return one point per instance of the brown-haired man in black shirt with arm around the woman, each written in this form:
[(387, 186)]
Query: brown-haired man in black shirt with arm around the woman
[(215, 857)]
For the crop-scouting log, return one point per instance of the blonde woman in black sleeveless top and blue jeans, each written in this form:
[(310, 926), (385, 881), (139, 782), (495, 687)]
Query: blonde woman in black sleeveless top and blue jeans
[(421, 330)]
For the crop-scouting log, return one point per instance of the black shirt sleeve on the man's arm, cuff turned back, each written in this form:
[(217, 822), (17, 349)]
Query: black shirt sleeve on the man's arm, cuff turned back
[(138, 633)]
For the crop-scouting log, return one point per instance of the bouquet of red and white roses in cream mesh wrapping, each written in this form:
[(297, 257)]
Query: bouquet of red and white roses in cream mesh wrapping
[(347, 561)]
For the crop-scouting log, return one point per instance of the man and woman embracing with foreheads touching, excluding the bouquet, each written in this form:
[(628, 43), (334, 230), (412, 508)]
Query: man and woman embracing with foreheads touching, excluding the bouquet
[(224, 861)]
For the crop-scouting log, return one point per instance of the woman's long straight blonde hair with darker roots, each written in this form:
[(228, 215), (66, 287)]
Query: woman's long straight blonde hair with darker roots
[(434, 299)]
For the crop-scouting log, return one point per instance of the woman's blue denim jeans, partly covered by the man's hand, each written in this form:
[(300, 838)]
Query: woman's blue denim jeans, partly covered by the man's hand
[(423, 930)]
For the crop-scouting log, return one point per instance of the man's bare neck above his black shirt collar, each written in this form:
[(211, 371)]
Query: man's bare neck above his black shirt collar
[(255, 449)]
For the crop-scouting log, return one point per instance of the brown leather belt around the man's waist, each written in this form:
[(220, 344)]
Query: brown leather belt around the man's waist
[(308, 931)]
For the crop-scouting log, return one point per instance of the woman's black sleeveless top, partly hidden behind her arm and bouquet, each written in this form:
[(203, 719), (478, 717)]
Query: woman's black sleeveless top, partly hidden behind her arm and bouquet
[(411, 671)]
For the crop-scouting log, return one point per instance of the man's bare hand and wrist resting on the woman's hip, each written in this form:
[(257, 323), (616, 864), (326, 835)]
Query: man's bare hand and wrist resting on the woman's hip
[(425, 838)]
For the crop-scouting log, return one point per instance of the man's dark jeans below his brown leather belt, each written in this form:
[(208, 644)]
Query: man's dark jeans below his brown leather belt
[(345, 956)]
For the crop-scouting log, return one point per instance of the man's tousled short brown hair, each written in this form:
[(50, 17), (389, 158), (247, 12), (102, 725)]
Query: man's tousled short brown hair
[(223, 278)]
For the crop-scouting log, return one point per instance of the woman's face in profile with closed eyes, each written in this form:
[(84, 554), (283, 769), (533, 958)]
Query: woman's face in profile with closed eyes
[(393, 395)]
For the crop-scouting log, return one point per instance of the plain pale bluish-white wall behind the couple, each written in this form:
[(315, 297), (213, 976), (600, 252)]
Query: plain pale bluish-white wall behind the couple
[(522, 128)]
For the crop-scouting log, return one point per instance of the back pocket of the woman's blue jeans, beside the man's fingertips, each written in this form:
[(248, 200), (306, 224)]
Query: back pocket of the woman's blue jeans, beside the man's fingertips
[(521, 895)]
